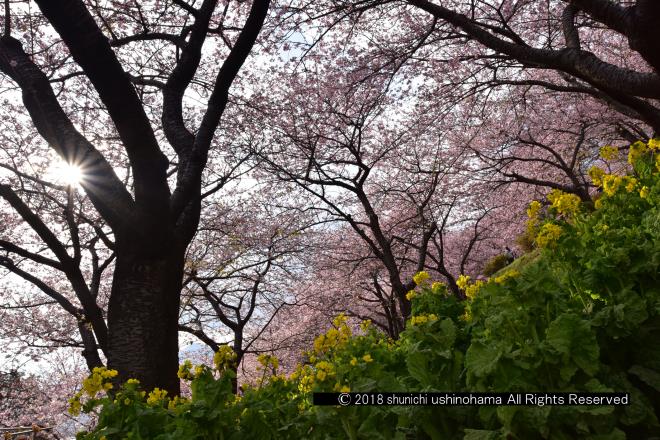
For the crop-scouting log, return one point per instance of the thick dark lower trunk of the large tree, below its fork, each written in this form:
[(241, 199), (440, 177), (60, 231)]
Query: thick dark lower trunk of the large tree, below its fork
[(143, 317)]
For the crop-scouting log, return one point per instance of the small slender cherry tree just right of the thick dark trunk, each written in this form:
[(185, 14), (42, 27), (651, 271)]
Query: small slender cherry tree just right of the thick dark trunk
[(241, 271)]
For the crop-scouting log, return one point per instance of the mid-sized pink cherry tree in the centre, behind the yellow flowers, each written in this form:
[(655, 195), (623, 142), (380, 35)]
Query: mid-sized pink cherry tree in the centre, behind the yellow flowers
[(392, 179)]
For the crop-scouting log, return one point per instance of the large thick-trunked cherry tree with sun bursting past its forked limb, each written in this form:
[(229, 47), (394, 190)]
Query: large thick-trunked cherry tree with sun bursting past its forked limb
[(138, 62)]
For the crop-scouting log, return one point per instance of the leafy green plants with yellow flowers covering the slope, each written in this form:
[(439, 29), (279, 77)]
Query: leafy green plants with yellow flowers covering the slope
[(582, 315)]
